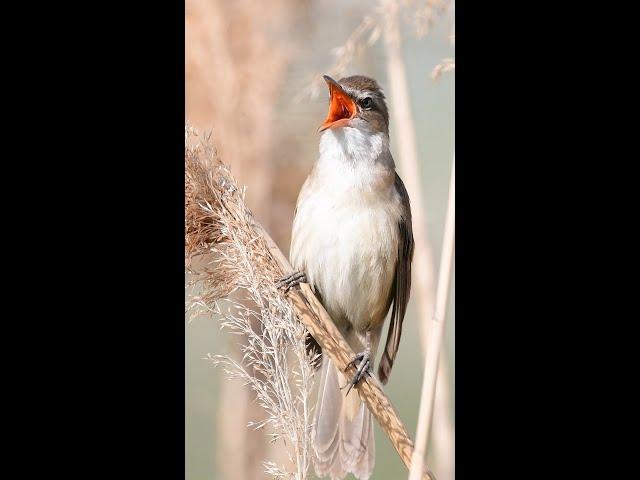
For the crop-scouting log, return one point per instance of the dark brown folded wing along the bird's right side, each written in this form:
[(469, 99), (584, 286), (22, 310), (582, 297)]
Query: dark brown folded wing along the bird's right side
[(401, 285)]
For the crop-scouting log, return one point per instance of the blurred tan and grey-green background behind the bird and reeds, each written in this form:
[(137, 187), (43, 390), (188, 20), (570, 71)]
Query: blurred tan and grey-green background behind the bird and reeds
[(251, 70)]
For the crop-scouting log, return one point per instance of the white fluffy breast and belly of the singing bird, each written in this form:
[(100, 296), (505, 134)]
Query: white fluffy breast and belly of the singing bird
[(345, 233)]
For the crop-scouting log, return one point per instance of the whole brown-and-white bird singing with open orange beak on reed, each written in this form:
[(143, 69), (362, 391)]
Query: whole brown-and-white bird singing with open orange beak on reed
[(352, 242)]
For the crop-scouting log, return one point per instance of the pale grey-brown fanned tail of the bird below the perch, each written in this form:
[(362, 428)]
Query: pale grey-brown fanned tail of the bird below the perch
[(343, 432)]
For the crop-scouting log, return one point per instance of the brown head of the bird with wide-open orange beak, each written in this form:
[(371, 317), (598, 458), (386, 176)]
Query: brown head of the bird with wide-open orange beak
[(356, 102)]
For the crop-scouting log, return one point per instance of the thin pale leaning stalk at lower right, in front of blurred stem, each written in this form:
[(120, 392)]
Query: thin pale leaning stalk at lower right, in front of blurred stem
[(435, 336)]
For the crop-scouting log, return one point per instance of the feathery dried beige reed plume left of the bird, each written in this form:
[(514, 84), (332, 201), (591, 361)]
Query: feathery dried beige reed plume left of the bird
[(232, 277)]
